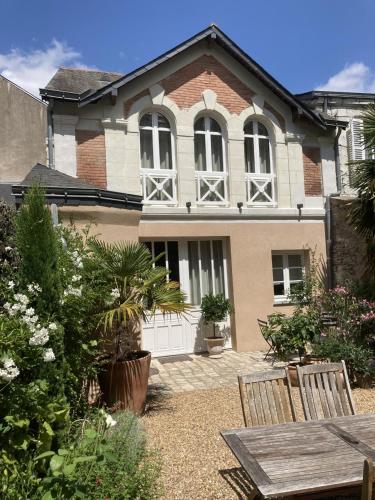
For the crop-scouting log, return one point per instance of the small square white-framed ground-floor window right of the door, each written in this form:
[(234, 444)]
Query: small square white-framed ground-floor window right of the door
[(288, 272)]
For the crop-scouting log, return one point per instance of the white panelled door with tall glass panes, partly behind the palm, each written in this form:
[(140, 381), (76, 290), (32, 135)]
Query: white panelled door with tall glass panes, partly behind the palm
[(201, 267)]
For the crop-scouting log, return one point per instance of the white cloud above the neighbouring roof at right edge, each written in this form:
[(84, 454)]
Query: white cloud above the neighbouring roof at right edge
[(356, 77)]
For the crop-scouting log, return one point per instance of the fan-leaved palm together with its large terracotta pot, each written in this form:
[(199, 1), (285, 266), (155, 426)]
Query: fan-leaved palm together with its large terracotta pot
[(137, 289)]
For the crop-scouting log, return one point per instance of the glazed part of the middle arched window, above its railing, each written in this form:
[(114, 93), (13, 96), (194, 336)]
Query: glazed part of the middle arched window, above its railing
[(208, 145)]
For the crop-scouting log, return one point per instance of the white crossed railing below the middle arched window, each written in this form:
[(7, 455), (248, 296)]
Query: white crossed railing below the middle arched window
[(211, 188)]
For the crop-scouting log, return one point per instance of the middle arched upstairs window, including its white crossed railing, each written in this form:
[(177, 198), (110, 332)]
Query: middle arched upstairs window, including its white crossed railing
[(209, 162)]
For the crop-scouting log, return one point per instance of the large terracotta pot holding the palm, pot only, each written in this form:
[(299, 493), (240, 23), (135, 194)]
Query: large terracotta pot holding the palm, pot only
[(124, 383)]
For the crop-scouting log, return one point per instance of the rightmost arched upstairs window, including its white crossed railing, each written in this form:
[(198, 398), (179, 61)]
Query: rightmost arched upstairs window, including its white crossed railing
[(258, 164)]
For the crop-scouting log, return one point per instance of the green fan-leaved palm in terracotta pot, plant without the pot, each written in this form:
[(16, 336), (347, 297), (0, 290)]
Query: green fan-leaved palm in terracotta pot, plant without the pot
[(138, 289)]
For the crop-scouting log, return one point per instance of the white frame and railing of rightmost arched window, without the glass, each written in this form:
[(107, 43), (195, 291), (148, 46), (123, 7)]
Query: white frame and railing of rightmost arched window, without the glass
[(257, 178)]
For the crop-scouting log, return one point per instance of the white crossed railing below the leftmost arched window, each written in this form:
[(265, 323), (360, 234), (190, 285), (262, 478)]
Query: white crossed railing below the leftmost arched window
[(159, 187)]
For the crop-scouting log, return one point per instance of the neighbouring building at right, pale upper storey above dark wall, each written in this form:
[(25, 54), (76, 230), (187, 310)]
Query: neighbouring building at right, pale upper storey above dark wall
[(347, 249)]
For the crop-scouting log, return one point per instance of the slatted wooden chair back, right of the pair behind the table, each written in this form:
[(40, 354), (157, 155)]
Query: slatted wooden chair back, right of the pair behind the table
[(325, 391)]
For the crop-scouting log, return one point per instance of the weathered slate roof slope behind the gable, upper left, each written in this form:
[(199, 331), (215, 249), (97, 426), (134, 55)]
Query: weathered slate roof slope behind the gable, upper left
[(78, 81)]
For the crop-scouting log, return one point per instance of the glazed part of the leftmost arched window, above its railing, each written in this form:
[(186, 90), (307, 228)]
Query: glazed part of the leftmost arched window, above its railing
[(156, 142)]
